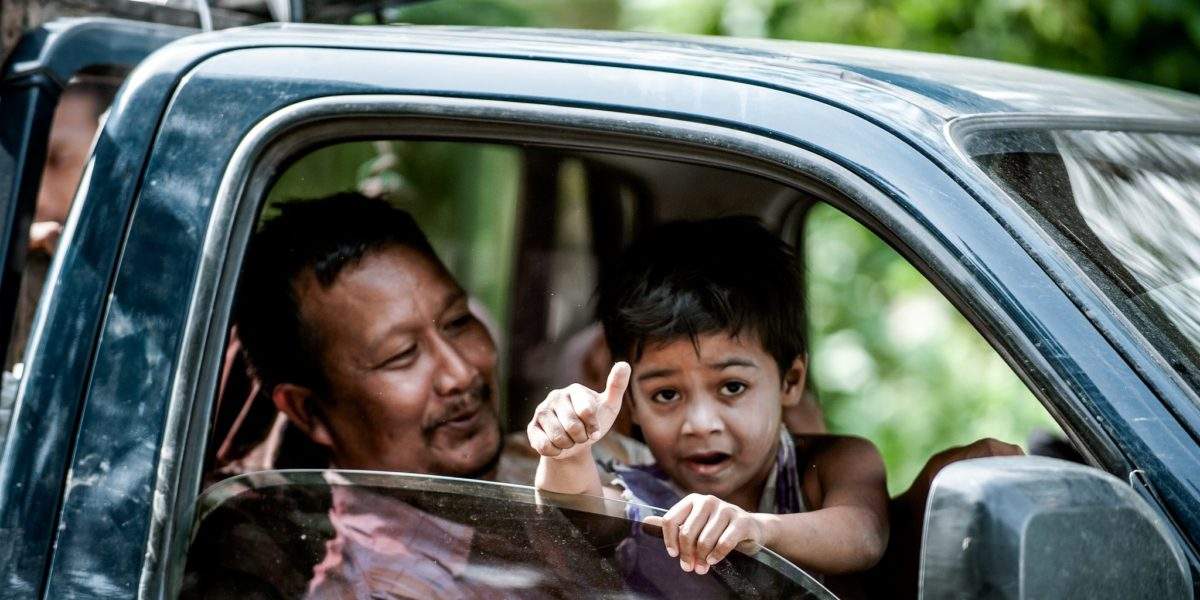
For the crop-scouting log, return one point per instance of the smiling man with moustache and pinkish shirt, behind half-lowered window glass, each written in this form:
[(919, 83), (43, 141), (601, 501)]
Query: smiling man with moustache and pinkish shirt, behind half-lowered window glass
[(362, 338)]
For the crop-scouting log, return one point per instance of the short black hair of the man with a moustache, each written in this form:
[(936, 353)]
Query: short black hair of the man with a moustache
[(325, 236)]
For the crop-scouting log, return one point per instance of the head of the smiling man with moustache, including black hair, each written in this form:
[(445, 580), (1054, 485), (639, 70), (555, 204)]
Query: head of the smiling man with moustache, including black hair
[(364, 340)]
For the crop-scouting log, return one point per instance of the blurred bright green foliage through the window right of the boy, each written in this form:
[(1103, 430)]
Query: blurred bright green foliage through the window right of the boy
[(895, 363)]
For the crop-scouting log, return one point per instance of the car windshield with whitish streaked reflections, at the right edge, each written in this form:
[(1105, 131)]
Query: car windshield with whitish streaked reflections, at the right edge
[(1126, 207)]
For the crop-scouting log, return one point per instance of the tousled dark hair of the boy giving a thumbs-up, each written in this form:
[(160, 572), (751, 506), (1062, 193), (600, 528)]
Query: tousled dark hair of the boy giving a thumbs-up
[(693, 278)]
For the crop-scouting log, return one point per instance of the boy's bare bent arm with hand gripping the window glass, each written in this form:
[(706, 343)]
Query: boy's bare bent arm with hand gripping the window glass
[(847, 535)]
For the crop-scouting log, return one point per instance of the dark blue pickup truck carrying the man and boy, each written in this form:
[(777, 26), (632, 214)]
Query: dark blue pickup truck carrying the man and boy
[(1057, 213)]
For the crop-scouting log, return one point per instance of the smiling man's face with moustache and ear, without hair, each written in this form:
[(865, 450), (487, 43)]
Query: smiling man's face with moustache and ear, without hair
[(411, 373)]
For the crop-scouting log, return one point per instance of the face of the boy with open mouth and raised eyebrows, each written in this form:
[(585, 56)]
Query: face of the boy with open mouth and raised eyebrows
[(712, 417)]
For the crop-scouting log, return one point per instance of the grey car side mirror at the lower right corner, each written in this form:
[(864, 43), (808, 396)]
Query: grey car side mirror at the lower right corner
[(1025, 527)]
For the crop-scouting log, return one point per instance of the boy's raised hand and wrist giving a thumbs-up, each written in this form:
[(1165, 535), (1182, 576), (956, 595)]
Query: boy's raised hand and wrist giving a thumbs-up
[(566, 425)]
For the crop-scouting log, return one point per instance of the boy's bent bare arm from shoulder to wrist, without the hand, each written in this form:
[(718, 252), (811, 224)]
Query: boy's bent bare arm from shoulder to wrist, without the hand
[(849, 533)]
